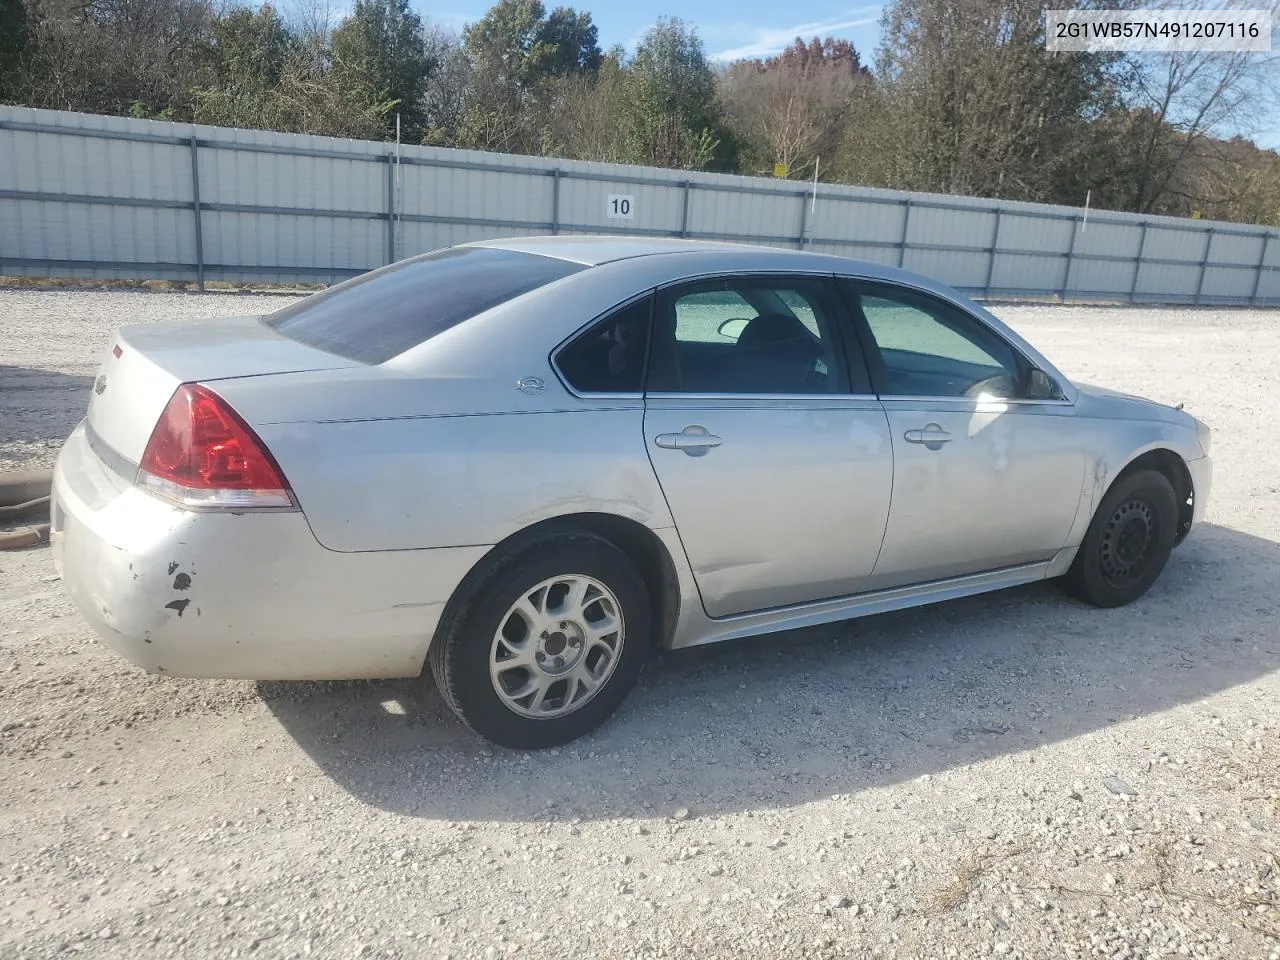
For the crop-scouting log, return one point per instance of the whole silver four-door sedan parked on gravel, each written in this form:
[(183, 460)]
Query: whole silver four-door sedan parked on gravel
[(531, 463)]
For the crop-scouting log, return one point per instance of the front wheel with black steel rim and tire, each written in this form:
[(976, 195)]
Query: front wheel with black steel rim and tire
[(1128, 543)]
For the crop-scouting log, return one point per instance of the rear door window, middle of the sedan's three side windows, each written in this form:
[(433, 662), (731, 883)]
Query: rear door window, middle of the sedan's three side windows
[(744, 336)]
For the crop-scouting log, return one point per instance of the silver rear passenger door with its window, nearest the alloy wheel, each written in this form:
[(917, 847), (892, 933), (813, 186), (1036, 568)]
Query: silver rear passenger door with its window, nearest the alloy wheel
[(775, 459)]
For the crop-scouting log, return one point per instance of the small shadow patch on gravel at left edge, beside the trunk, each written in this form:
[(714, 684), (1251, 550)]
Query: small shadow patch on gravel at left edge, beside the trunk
[(40, 406)]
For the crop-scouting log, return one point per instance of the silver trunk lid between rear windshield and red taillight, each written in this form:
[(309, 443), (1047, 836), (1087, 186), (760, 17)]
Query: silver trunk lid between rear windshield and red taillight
[(147, 363)]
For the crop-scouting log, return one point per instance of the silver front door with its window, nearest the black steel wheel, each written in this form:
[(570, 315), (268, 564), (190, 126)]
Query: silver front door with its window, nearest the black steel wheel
[(985, 477)]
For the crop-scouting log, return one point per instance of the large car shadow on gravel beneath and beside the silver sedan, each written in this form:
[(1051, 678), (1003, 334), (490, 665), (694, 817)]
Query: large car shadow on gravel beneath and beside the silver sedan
[(789, 719)]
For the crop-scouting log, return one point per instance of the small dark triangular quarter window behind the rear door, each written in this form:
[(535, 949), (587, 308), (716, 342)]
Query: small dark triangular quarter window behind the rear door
[(610, 356)]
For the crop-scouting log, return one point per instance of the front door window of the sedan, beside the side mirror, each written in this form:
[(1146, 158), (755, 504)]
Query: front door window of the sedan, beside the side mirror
[(930, 349)]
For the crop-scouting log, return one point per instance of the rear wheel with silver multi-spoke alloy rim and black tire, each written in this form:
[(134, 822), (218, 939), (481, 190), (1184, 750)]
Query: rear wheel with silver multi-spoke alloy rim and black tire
[(548, 644)]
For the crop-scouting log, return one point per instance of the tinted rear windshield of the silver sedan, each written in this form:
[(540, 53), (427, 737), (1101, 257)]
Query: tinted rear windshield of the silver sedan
[(382, 314)]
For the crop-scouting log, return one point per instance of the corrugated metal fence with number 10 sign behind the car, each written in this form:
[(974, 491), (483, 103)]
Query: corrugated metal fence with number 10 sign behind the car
[(115, 198)]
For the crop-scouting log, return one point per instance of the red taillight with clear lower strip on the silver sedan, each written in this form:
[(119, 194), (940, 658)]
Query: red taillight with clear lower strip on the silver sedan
[(203, 455)]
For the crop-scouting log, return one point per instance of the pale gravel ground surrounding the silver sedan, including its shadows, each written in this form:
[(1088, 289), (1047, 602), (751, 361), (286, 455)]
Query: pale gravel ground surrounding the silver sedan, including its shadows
[(1014, 775)]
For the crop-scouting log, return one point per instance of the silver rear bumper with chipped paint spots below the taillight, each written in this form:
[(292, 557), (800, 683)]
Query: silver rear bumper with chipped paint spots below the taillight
[(250, 596)]
